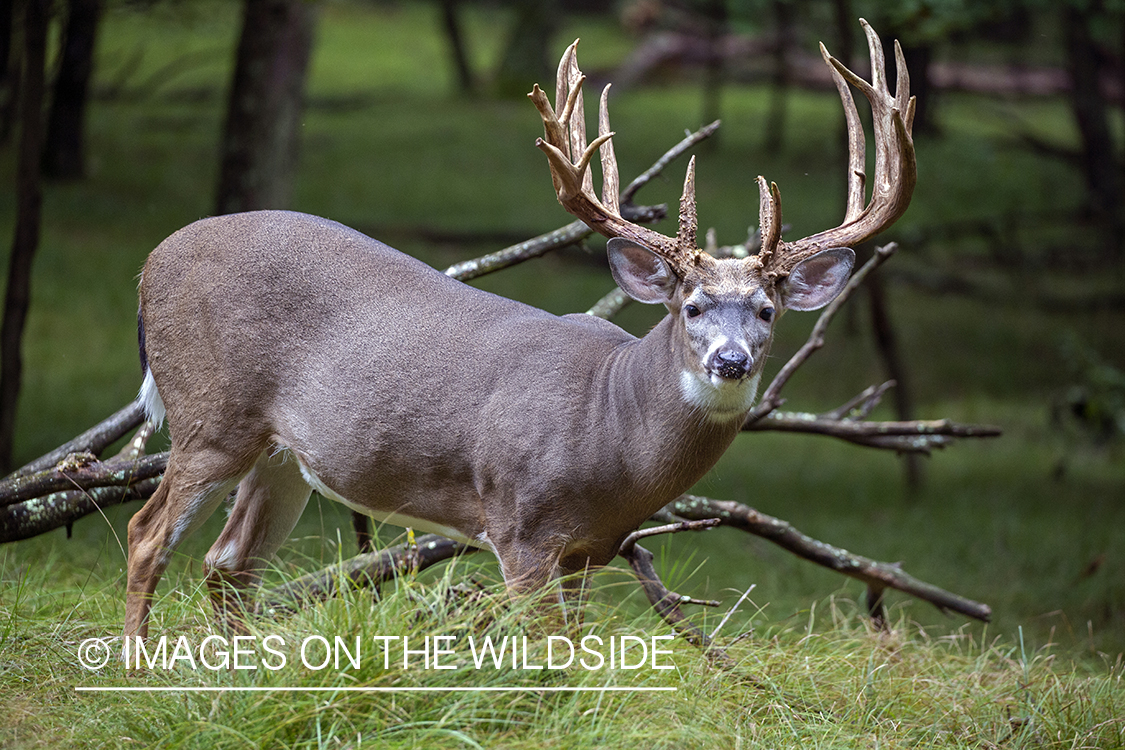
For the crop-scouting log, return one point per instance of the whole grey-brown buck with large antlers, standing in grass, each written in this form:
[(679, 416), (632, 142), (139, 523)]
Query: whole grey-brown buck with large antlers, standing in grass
[(290, 354)]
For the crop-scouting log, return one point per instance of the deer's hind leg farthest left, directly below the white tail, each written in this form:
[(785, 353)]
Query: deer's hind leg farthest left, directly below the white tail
[(193, 487)]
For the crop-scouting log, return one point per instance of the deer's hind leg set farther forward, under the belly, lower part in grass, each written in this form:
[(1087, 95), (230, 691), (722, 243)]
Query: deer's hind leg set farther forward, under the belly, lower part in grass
[(269, 503)]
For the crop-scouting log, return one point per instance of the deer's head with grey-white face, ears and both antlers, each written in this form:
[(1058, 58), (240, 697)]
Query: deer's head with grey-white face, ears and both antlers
[(728, 306)]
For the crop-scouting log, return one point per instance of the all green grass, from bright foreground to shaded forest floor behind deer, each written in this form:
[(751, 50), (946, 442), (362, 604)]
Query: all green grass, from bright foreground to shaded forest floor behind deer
[(1032, 523)]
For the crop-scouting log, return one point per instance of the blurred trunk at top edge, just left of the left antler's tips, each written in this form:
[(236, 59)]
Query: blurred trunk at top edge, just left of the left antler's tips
[(529, 48)]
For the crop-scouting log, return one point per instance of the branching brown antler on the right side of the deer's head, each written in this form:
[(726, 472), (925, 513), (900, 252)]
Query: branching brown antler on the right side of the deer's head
[(896, 171)]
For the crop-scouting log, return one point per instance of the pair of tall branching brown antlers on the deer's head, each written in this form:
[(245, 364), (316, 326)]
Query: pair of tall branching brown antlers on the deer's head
[(896, 171)]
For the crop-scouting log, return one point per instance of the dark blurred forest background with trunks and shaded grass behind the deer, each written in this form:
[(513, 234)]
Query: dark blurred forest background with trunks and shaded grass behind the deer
[(122, 121)]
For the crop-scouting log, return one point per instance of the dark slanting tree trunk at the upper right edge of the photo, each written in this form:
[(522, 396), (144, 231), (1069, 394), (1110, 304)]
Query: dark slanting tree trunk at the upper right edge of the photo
[(1099, 155)]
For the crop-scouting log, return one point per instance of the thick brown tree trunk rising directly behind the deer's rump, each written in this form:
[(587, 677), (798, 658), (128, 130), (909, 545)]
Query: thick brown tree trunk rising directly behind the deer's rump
[(260, 139)]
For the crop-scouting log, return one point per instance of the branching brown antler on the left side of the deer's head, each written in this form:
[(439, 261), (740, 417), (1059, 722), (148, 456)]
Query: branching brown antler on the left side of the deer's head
[(565, 144)]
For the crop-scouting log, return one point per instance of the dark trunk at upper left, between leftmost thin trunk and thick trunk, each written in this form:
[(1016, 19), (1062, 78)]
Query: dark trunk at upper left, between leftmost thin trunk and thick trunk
[(65, 152)]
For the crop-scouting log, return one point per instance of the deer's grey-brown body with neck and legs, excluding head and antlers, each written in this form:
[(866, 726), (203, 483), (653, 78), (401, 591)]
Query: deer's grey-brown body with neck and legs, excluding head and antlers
[(320, 358)]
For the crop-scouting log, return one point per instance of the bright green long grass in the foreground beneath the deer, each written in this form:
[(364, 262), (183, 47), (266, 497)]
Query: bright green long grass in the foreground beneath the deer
[(827, 681)]
